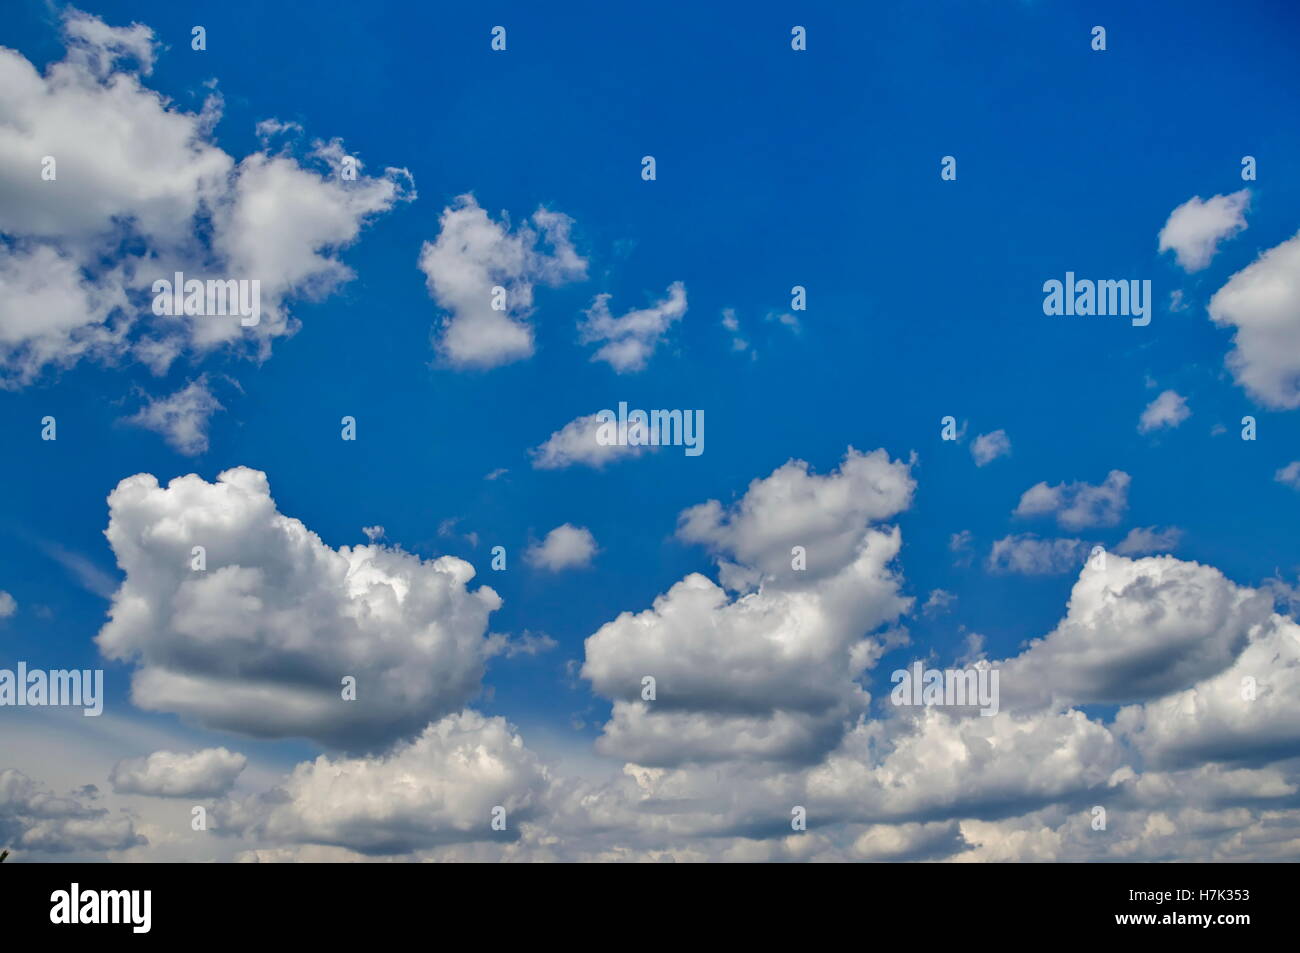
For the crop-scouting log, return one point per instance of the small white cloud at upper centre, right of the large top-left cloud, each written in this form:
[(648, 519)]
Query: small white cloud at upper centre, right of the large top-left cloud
[(471, 257)]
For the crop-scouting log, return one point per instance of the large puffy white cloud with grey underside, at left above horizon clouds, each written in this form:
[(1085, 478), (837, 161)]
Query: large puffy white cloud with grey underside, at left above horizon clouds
[(261, 640)]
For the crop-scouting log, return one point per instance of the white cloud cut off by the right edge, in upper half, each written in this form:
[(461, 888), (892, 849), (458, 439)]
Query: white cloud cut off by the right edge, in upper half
[(1263, 304)]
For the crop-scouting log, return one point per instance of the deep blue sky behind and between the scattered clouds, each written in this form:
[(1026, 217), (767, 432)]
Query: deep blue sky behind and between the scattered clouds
[(775, 168)]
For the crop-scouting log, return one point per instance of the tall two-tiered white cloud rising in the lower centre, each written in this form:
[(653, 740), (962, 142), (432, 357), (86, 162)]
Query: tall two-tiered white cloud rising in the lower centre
[(769, 674)]
